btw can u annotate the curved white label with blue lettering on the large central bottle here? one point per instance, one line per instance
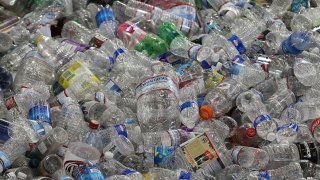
(156, 83)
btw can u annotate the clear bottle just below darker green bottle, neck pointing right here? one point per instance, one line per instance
(182, 47)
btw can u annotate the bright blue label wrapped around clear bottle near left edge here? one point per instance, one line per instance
(41, 113)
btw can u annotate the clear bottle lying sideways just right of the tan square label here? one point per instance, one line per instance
(248, 157)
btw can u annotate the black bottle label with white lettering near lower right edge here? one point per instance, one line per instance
(308, 151)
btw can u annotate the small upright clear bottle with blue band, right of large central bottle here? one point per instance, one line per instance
(189, 110)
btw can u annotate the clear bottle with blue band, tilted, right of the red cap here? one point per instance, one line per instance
(251, 102)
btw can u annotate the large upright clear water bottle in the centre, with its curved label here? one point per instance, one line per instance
(157, 103)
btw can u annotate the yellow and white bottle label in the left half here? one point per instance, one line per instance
(77, 69)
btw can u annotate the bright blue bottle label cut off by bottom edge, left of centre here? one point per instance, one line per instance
(87, 173)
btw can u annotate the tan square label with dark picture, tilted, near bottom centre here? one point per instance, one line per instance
(200, 151)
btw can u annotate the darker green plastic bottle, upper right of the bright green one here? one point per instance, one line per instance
(168, 31)
